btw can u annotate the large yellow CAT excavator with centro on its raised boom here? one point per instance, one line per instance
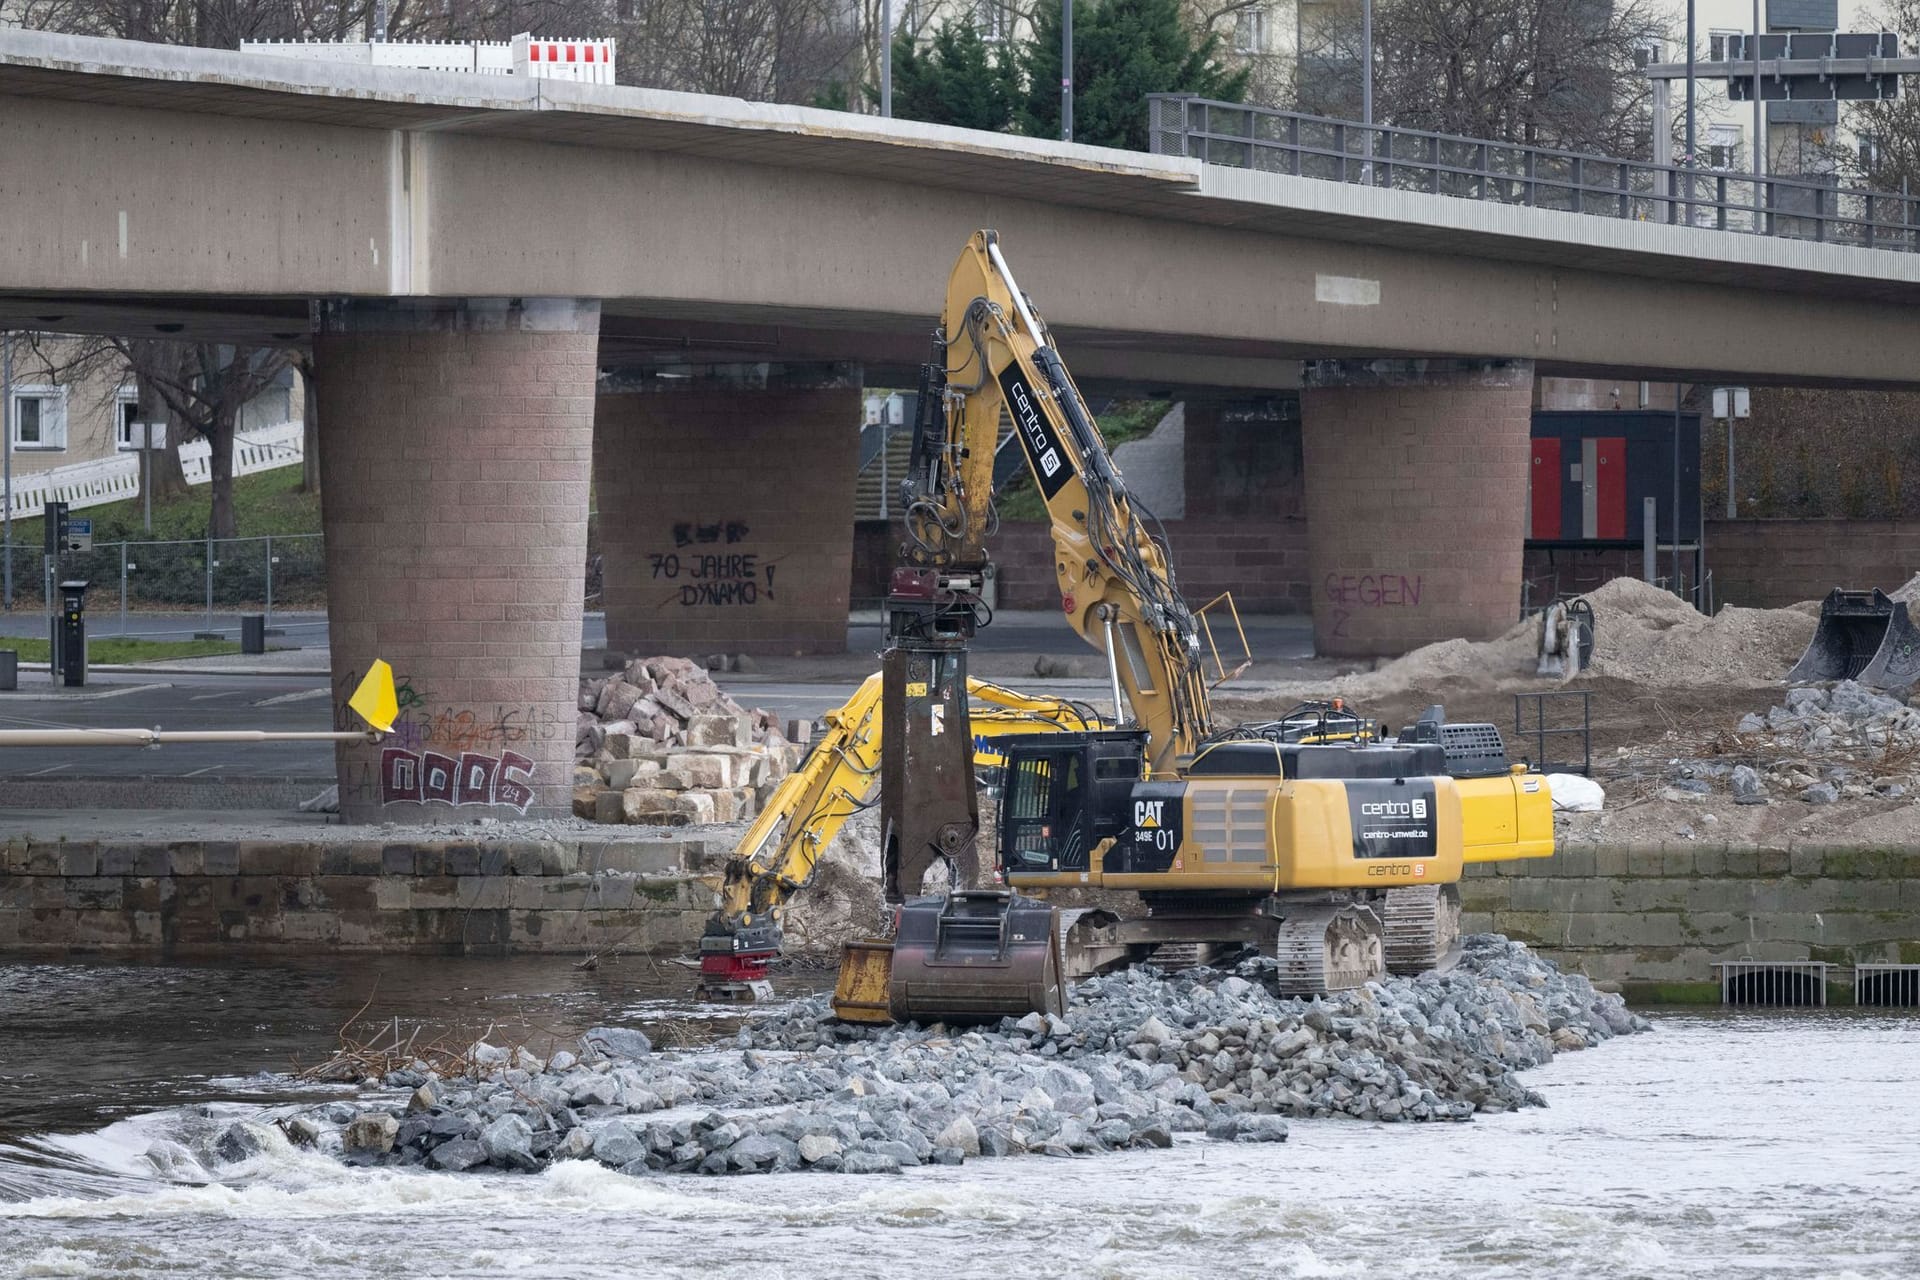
(1316, 840)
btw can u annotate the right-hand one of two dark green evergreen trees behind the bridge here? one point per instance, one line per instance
(1122, 53)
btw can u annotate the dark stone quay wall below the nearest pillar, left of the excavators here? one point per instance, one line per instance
(377, 895)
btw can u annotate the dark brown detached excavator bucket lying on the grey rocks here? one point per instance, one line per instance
(976, 957)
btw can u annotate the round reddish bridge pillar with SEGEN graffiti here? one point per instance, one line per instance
(1416, 500)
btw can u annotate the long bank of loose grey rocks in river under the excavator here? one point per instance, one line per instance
(1140, 1058)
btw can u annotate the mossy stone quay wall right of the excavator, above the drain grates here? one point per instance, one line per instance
(1664, 914)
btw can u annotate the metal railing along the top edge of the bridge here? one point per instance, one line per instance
(1410, 160)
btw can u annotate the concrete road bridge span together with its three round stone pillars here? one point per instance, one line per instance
(477, 266)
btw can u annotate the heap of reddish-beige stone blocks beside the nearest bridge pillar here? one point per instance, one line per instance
(660, 744)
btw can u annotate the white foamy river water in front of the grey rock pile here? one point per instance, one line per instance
(1717, 1147)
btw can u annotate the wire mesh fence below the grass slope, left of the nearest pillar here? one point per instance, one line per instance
(214, 577)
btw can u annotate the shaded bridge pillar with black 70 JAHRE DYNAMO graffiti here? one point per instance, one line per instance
(725, 500)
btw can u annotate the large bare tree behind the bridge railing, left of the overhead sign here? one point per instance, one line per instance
(1541, 72)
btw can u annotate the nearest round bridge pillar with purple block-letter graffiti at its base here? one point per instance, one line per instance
(456, 448)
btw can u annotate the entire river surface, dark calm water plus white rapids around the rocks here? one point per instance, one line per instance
(1777, 1147)
